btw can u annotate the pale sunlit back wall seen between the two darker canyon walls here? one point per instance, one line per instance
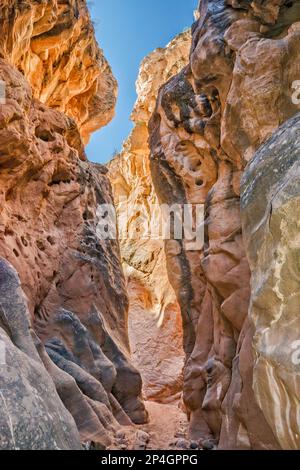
(155, 327)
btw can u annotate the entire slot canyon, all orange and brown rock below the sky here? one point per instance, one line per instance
(141, 342)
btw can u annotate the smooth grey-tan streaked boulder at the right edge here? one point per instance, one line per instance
(270, 213)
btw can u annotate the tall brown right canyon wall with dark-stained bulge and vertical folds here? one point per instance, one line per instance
(208, 122)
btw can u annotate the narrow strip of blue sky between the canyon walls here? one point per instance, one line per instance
(128, 30)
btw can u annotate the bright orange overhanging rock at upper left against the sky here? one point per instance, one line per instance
(53, 44)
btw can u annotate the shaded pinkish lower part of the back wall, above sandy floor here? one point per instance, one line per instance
(156, 344)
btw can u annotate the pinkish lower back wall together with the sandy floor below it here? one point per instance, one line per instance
(156, 345)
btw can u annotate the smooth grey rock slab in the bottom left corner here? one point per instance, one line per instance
(32, 415)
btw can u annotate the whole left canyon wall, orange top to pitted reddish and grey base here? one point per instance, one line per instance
(63, 313)
